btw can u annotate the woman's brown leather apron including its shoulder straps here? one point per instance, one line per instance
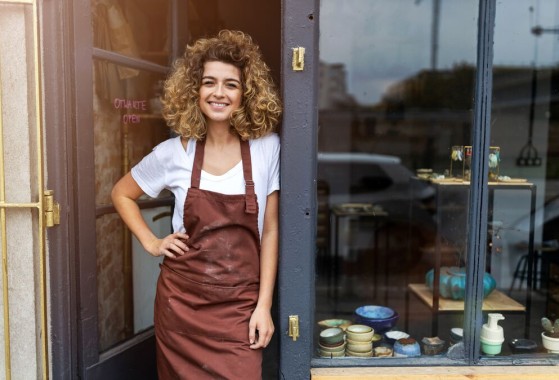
(206, 297)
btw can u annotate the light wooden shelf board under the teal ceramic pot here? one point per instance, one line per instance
(496, 301)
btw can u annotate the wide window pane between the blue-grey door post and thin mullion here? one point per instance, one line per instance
(395, 96)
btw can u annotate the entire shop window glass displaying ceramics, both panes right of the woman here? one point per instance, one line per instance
(396, 102)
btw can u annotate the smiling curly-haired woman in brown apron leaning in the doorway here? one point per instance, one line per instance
(214, 293)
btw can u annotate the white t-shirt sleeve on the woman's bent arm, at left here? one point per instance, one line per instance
(149, 173)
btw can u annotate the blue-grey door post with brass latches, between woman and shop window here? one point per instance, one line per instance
(298, 191)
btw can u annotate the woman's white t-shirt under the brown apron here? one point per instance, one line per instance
(169, 166)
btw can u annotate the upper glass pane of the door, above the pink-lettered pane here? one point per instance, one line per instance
(135, 28)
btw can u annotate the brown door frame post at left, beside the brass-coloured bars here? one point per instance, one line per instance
(58, 64)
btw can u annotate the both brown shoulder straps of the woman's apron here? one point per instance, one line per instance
(247, 172)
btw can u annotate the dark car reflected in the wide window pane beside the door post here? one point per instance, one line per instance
(381, 180)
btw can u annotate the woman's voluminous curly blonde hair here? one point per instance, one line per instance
(260, 108)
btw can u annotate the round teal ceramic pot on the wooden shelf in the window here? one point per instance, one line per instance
(452, 282)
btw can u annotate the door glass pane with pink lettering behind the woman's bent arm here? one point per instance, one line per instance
(127, 125)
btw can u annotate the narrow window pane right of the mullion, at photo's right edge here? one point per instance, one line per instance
(525, 127)
